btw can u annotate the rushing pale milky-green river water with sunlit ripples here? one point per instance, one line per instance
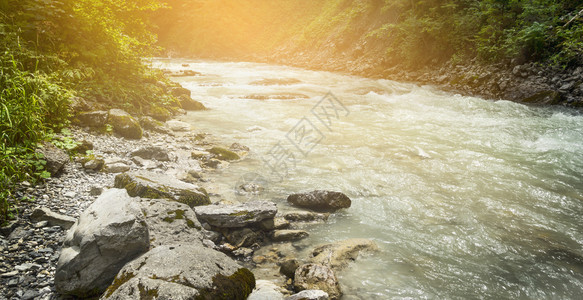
(466, 198)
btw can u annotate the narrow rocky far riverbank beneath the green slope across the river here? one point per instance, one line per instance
(528, 83)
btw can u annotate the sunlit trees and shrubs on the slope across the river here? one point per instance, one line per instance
(402, 33)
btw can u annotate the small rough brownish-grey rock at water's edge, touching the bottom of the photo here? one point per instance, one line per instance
(317, 277)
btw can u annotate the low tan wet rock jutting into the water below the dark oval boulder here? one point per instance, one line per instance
(337, 255)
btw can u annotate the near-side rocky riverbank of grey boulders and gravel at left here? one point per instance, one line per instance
(127, 214)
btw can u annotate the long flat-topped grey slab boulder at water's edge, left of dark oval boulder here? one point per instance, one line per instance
(233, 216)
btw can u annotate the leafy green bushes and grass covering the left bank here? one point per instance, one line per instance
(52, 51)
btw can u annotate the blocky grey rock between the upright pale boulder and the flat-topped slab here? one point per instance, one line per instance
(170, 222)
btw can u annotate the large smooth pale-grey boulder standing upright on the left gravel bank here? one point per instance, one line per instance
(110, 233)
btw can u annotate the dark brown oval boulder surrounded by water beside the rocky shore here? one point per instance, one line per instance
(320, 200)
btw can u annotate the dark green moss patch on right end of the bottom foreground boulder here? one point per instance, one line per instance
(237, 286)
